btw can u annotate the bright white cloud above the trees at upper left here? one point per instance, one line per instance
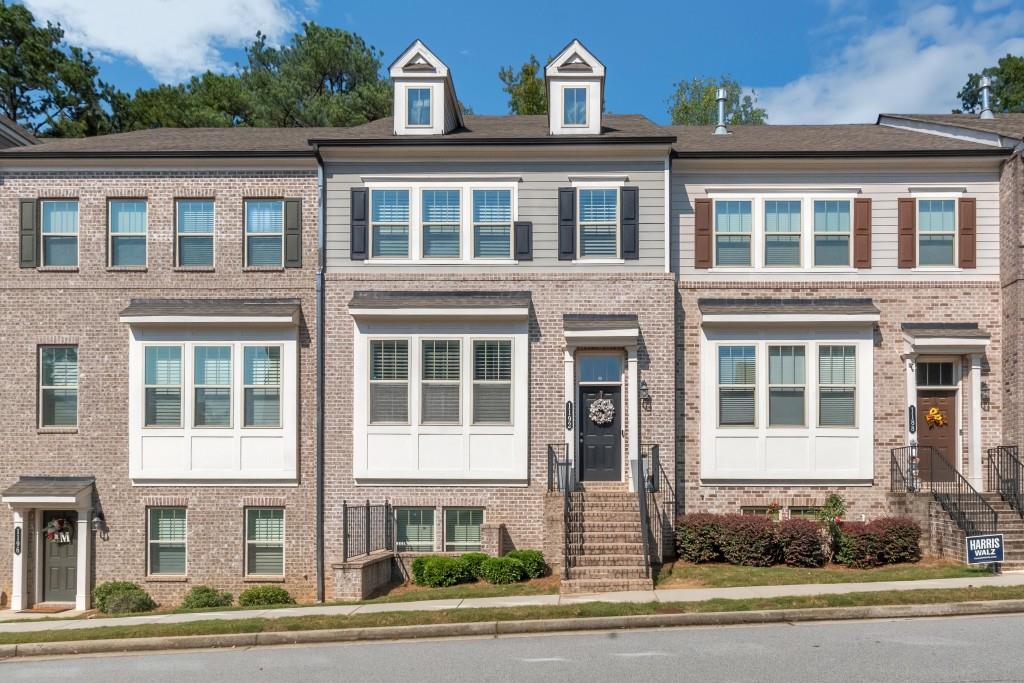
(173, 39)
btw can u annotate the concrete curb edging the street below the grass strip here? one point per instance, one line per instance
(496, 629)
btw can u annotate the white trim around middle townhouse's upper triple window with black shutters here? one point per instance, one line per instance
(466, 188)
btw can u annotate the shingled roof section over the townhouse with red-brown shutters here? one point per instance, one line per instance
(837, 141)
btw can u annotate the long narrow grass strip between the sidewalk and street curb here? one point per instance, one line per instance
(314, 623)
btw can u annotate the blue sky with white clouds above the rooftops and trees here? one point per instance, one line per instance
(809, 61)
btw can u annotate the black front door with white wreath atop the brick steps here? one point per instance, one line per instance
(601, 445)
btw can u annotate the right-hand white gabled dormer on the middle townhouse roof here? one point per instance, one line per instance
(576, 91)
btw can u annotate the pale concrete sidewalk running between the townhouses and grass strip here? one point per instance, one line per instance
(660, 595)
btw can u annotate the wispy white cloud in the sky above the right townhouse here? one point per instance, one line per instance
(917, 65)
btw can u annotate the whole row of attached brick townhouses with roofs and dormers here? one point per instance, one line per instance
(223, 341)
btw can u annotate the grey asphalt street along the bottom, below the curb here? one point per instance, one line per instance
(947, 650)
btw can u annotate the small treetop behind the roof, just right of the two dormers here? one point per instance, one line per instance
(695, 104)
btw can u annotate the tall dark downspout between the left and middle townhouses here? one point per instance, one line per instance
(321, 309)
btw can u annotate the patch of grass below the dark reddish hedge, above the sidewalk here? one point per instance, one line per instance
(685, 575)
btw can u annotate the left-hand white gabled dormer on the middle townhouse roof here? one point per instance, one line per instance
(424, 96)
